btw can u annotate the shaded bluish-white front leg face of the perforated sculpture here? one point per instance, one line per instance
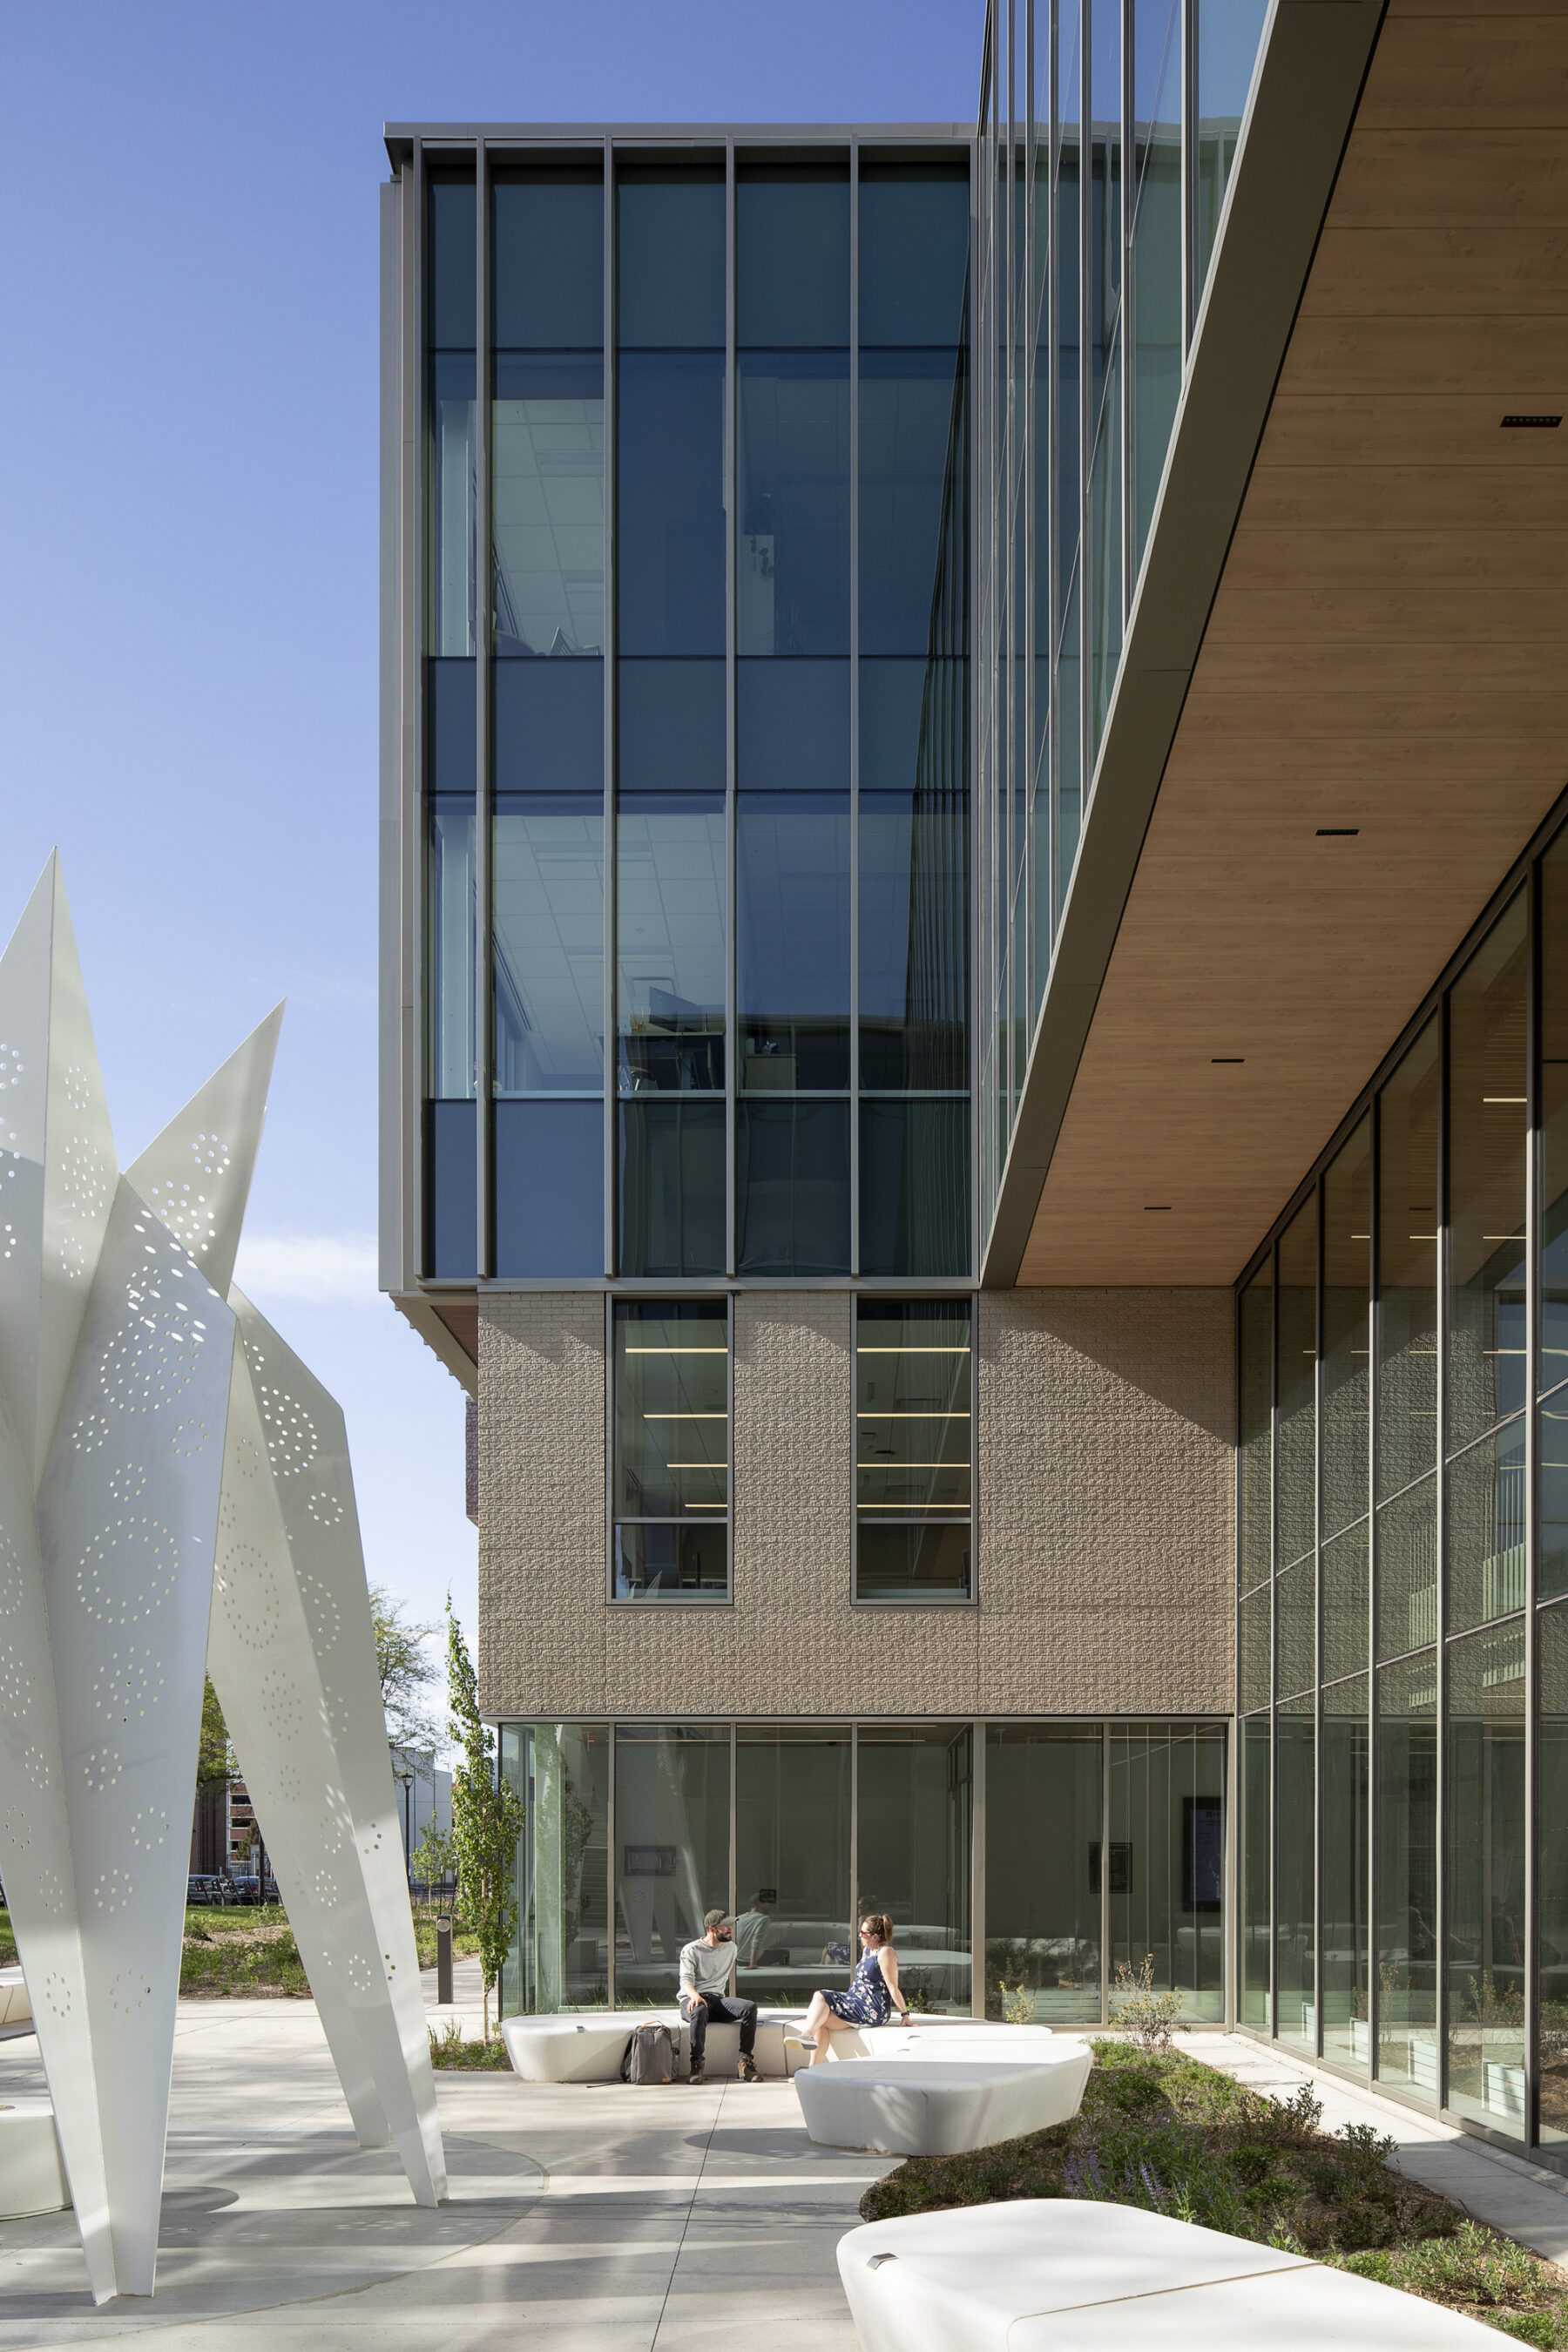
(128, 1518)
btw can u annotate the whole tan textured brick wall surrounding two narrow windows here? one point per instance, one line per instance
(1104, 1553)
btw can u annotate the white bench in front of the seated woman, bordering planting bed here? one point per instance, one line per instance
(939, 2106)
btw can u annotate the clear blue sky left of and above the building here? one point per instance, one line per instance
(189, 582)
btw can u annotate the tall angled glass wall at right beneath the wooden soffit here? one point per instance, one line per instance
(1402, 1563)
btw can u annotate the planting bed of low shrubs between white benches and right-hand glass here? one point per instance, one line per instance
(1177, 2137)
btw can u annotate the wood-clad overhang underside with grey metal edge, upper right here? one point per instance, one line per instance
(1341, 709)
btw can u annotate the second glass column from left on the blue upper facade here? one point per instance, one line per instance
(547, 683)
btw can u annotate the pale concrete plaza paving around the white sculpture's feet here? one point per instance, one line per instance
(601, 2219)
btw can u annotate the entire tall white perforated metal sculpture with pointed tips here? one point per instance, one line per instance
(152, 1431)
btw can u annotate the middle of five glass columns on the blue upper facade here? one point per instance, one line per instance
(671, 737)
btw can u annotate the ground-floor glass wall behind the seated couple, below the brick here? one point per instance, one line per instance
(1052, 1850)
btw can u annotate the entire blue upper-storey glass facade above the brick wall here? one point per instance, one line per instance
(697, 827)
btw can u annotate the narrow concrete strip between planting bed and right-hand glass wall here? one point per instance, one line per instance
(1503, 2191)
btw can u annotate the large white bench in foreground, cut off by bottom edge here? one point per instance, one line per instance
(1064, 2276)
